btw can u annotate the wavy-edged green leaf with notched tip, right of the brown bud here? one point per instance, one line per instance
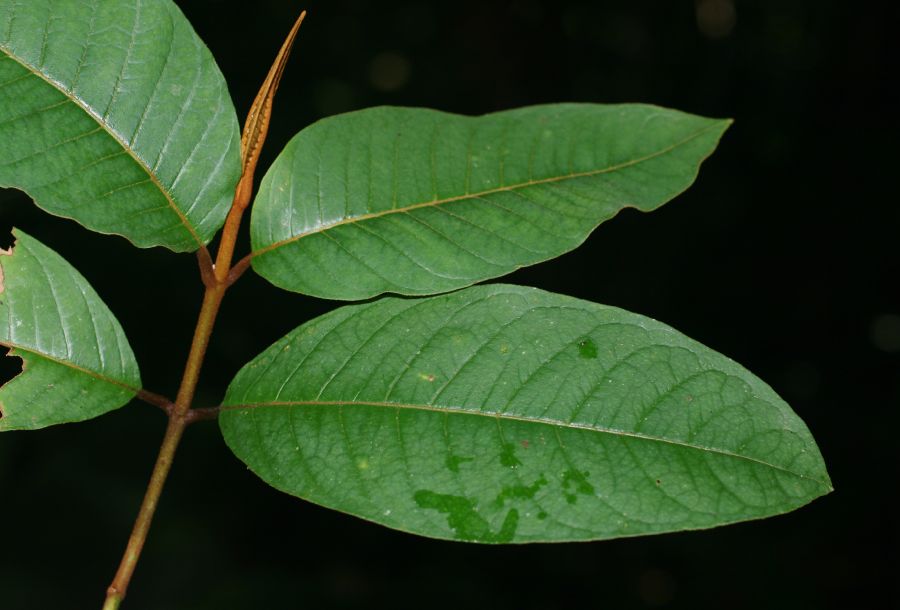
(416, 201)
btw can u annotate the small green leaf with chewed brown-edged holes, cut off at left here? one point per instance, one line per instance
(77, 363)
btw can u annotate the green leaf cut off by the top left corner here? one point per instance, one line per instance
(116, 115)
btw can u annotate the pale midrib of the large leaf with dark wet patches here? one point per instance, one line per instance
(555, 423)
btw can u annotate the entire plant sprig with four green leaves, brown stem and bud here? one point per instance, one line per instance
(491, 414)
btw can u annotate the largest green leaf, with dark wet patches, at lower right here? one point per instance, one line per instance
(508, 414)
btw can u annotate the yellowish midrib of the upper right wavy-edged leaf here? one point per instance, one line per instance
(484, 193)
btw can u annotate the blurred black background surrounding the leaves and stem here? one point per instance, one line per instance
(784, 255)
